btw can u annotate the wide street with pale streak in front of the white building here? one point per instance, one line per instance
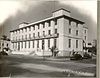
(33, 66)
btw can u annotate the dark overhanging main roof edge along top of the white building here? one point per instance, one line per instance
(50, 18)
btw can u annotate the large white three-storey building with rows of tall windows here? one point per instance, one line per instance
(61, 30)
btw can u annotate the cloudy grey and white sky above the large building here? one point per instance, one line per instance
(14, 12)
